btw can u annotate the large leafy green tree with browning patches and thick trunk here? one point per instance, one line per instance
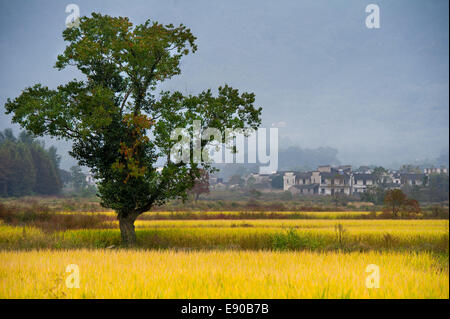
(119, 126)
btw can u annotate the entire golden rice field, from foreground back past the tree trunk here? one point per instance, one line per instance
(321, 256)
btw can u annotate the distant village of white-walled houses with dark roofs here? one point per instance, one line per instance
(330, 180)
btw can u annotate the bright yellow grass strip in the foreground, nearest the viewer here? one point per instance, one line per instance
(220, 274)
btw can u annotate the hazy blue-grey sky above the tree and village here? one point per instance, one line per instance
(377, 95)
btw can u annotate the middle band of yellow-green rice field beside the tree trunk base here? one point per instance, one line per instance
(357, 235)
